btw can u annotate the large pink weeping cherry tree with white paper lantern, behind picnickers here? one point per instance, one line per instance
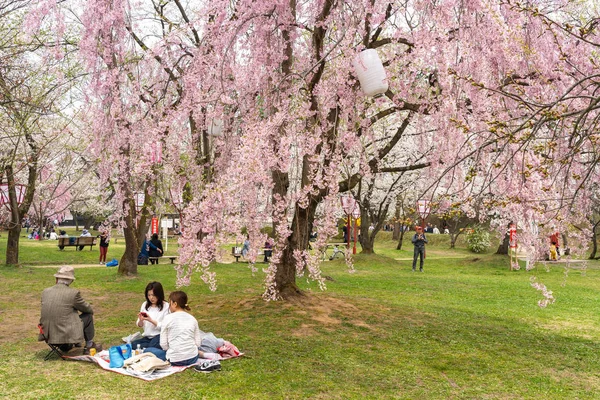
(279, 74)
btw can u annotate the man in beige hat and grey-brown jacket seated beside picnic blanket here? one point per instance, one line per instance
(60, 319)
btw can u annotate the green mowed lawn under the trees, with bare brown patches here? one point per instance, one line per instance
(466, 328)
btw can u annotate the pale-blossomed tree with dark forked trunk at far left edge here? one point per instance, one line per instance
(35, 76)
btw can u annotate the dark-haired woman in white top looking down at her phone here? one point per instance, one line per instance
(151, 316)
